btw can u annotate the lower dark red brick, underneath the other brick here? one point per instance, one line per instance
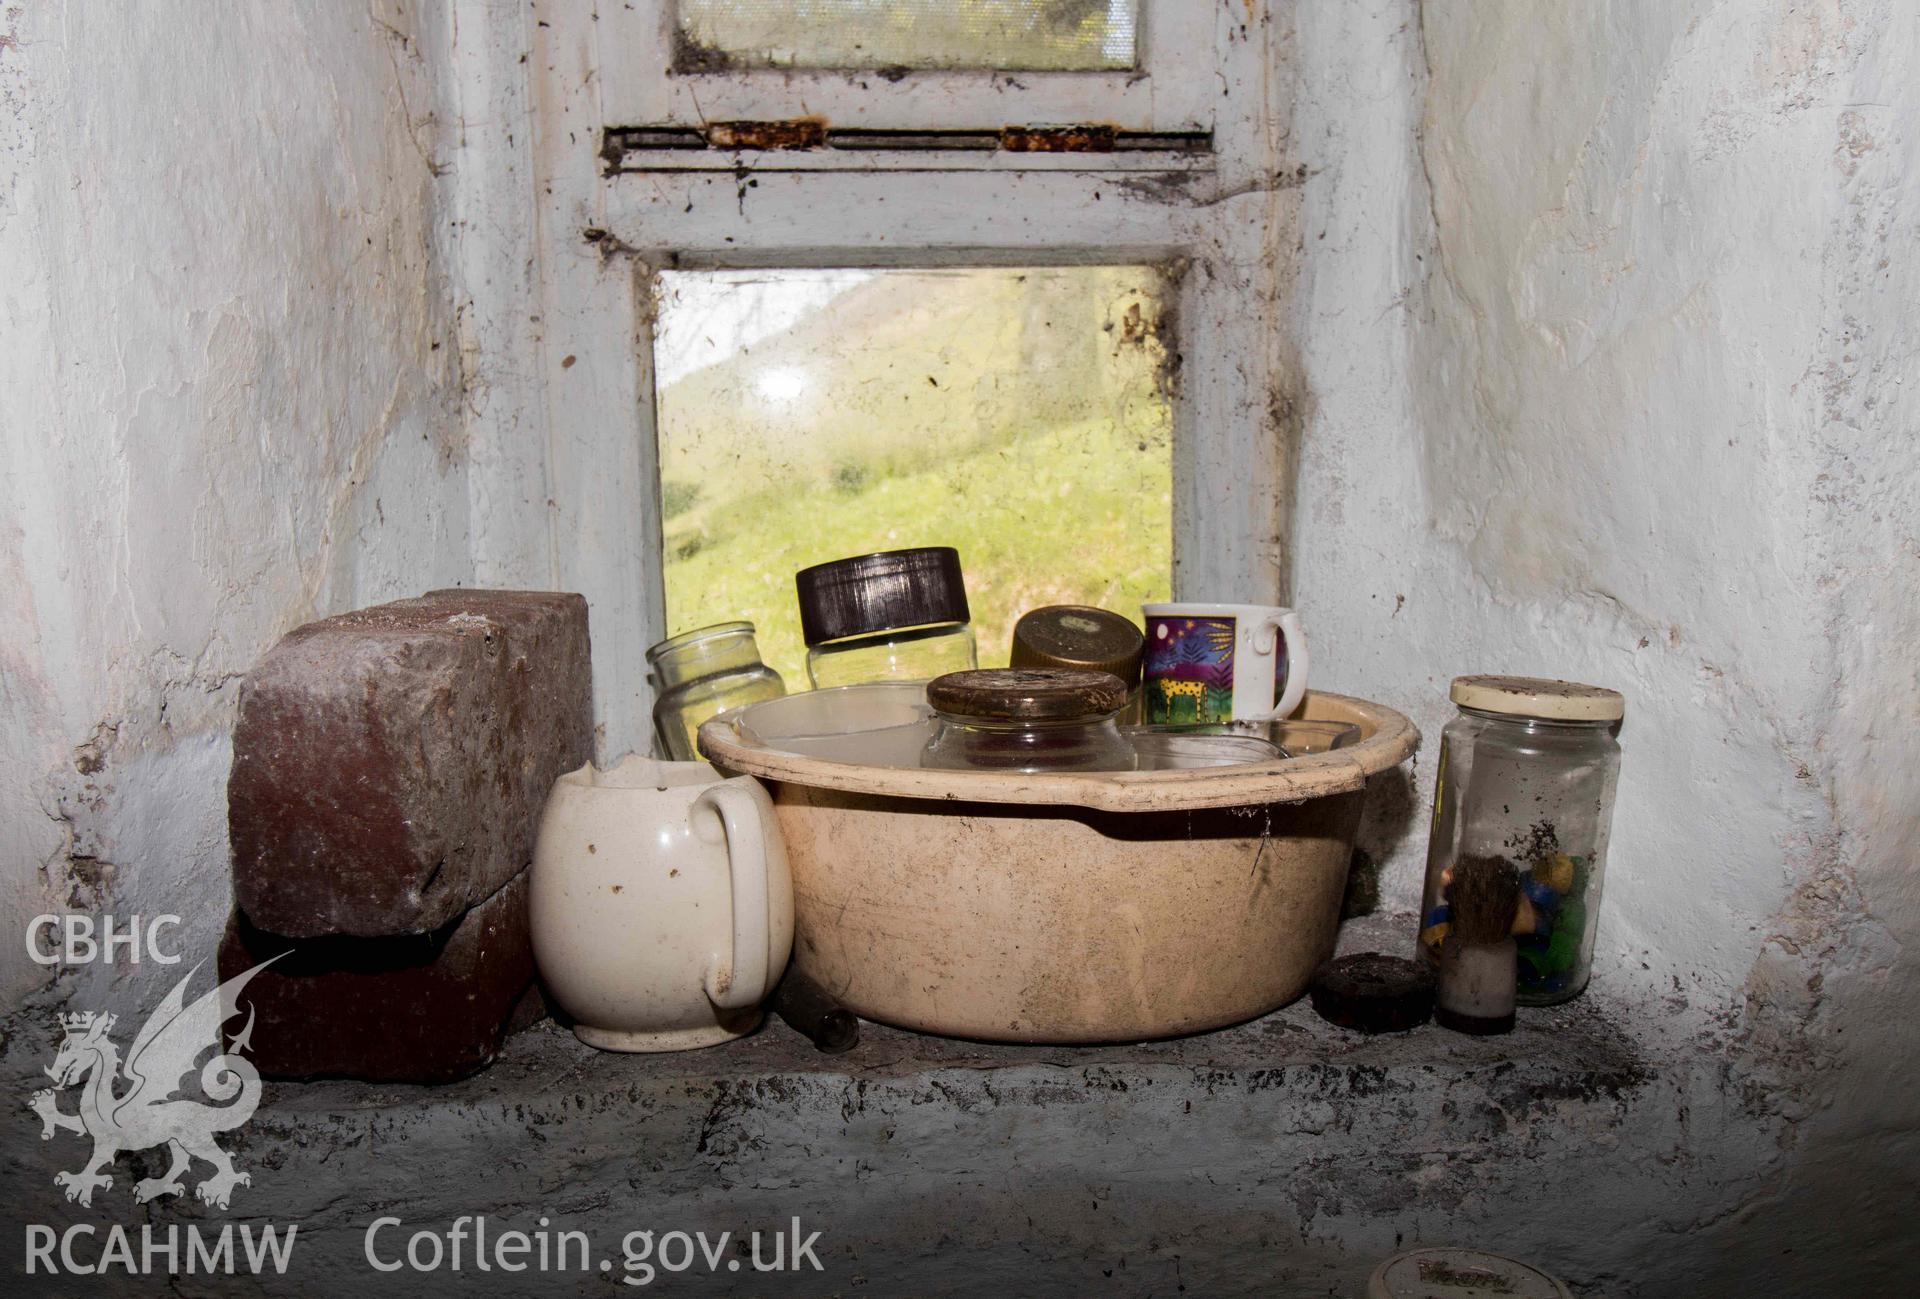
(414, 1008)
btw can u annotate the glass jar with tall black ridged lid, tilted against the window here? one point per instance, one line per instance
(888, 617)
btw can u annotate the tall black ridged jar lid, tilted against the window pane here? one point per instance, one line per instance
(880, 592)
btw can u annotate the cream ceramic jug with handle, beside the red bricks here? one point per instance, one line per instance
(661, 905)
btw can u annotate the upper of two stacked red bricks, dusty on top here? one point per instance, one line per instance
(391, 765)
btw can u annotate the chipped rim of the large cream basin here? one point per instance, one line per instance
(1387, 740)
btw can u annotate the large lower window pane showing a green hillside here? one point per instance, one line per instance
(1020, 415)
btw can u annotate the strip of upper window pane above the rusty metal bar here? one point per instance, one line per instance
(1067, 35)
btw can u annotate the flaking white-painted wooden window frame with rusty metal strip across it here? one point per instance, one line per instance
(602, 227)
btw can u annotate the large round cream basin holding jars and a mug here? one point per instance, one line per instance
(1053, 909)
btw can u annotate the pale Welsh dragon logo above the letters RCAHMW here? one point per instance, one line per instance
(153, 1110)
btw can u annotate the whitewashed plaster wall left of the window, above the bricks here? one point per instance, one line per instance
(229, 402)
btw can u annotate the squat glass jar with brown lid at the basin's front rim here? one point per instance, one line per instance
(1028, 720)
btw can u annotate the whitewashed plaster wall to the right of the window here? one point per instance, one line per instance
(1610, 356)
